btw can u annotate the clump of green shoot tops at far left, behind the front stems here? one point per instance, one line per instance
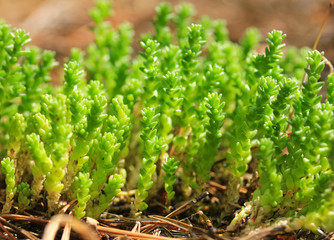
(23, 70)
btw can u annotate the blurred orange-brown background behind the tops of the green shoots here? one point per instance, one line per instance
(60, 25)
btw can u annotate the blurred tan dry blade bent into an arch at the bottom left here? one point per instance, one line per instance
(83, 229)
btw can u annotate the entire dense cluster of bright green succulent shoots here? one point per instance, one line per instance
(191, 101)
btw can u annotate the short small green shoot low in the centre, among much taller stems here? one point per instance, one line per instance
(170, 168)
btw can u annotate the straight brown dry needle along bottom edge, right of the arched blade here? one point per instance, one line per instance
(132, 235)
